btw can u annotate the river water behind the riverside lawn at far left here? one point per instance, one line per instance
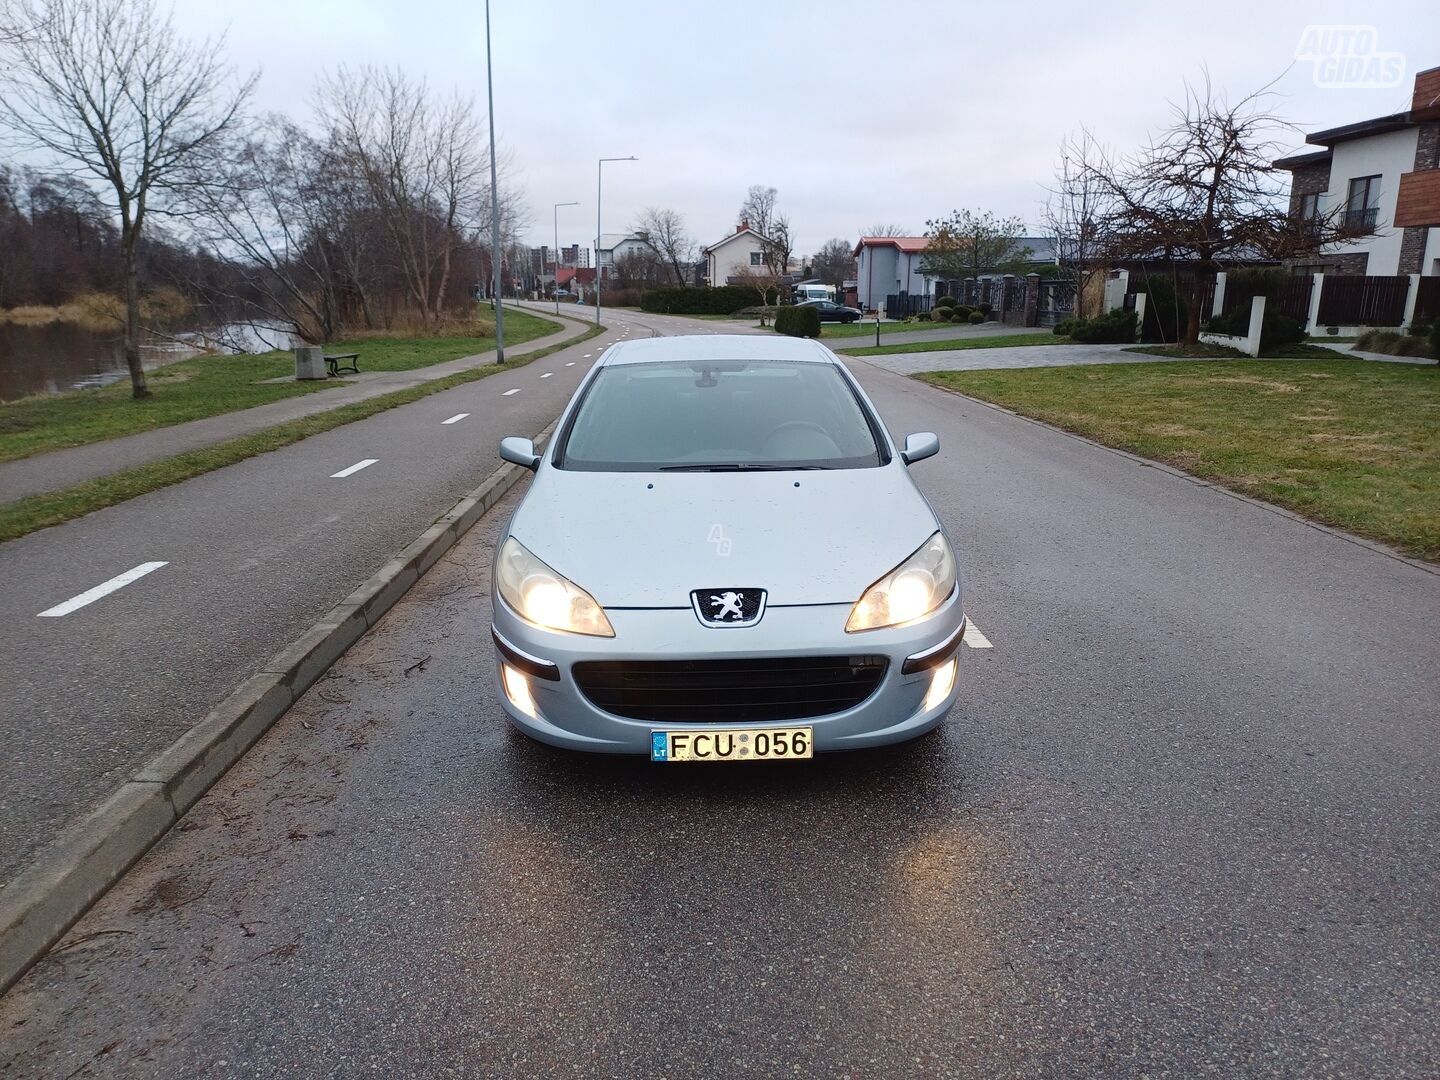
(63, 356)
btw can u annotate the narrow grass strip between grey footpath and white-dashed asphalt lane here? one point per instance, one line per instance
(55, 508)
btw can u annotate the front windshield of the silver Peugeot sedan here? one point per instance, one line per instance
(719, 417)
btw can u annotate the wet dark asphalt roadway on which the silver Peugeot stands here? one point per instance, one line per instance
(1182, 823)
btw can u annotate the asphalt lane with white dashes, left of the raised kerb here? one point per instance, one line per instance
(254, 555)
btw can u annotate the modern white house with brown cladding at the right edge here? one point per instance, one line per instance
(1382, 175)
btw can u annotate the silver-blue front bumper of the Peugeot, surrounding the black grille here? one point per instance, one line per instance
(564, 716)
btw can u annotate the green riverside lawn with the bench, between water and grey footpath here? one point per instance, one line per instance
(212, 385)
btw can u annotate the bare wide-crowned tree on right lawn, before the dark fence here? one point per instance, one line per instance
(1206, 191)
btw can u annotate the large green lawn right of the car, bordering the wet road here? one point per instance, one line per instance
(1350, 443)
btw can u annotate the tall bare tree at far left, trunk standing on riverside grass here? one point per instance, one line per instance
(109, 89)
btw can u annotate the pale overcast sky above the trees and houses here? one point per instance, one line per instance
(856, 113)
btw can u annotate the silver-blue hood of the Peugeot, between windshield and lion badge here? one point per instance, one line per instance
(649, 539)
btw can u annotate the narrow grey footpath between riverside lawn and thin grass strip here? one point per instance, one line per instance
(63, 469)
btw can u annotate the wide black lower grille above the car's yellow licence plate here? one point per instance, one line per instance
(715, 692)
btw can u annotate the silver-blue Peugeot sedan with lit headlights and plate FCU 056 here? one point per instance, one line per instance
(722, 558)
